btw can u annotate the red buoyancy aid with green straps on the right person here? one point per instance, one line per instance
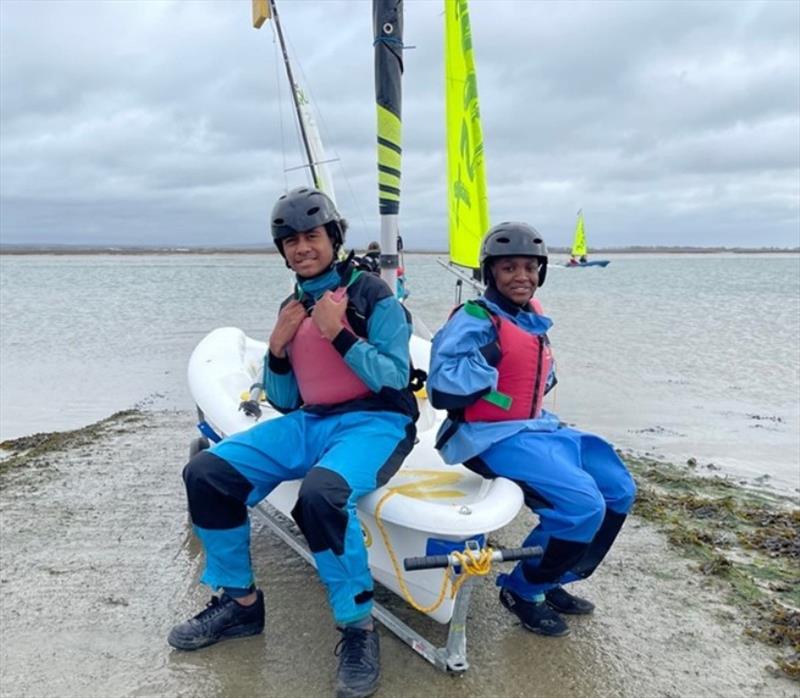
(524, 366)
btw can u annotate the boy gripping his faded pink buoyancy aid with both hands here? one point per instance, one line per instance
(338, 367)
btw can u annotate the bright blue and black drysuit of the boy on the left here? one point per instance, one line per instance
(341, 452)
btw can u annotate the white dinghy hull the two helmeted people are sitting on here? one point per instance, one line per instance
(430, 502)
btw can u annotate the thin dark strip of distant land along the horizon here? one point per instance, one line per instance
(258, 249)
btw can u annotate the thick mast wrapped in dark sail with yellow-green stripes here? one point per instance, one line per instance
(387, 24)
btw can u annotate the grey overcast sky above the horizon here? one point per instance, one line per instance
(161, 122)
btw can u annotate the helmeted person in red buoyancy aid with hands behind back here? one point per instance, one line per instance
(491, 365)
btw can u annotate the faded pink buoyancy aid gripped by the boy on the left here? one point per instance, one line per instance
(323, 376)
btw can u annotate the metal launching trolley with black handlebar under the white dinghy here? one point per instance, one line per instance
(450, 658)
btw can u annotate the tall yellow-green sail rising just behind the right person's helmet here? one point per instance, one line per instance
(467, 200)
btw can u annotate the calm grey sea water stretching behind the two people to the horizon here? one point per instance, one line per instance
(677, 355)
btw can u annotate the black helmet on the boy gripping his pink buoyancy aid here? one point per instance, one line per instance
(303, 209)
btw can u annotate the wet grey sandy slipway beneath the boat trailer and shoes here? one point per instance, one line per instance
(98, 563)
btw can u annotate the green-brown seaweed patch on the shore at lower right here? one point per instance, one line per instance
(746, 540)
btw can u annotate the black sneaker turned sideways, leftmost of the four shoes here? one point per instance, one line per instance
(222, 619)
